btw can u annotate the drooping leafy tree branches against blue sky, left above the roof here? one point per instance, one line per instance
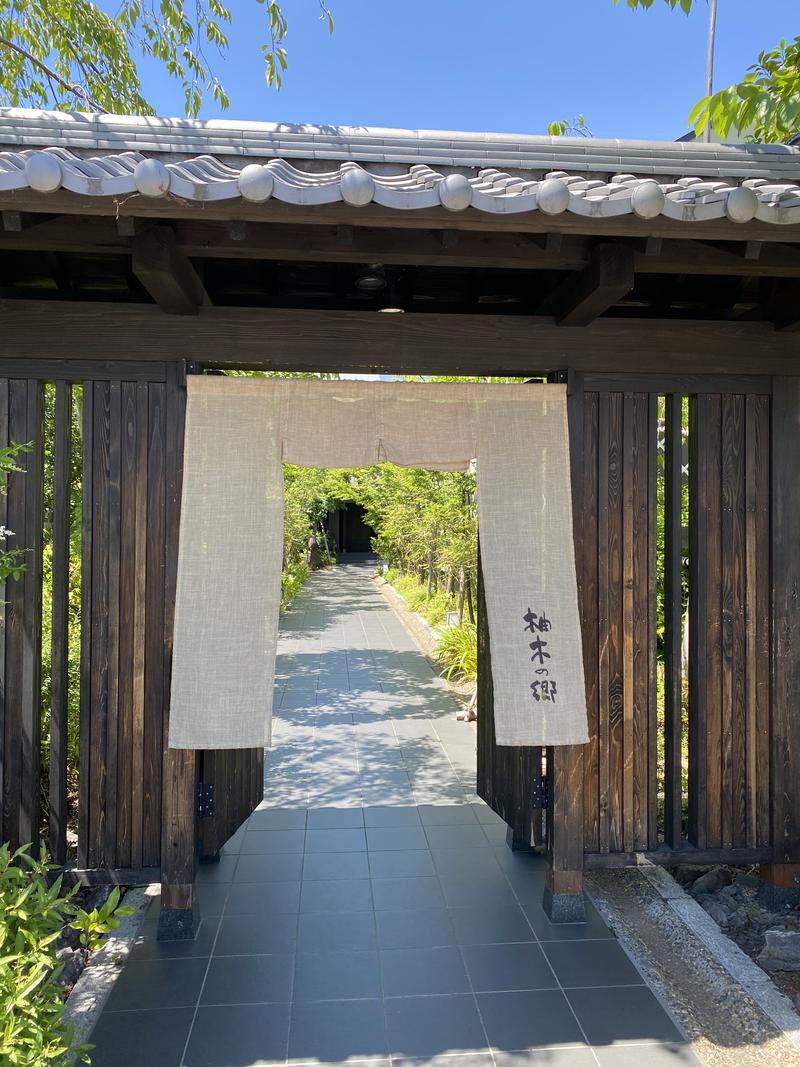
(68, 54)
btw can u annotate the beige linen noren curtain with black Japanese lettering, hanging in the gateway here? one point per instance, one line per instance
(238, 435)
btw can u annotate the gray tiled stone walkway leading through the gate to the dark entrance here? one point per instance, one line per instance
(370, 912)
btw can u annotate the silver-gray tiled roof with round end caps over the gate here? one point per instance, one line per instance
(108, 156)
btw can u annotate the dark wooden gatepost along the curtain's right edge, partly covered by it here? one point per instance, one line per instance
(564, 895)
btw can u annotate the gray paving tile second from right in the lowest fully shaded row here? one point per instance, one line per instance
(529, 1021)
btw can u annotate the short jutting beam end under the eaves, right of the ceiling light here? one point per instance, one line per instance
(581, 299)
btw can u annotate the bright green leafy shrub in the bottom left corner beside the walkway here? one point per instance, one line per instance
(33, 1028)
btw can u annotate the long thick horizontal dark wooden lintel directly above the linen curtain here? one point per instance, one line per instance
(299, 340)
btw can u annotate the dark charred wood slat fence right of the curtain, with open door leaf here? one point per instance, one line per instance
(695, 765)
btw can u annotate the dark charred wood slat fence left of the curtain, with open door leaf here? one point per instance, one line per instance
(124, 495)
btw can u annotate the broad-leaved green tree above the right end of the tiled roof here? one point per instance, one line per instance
(764, 106)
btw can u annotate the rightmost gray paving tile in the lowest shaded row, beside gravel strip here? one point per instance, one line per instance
(629, 1014)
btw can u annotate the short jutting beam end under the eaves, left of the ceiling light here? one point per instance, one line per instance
(167, 274)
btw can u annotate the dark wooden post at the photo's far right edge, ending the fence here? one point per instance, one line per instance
(781, 880)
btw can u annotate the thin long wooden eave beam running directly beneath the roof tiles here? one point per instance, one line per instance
(374, 215)
